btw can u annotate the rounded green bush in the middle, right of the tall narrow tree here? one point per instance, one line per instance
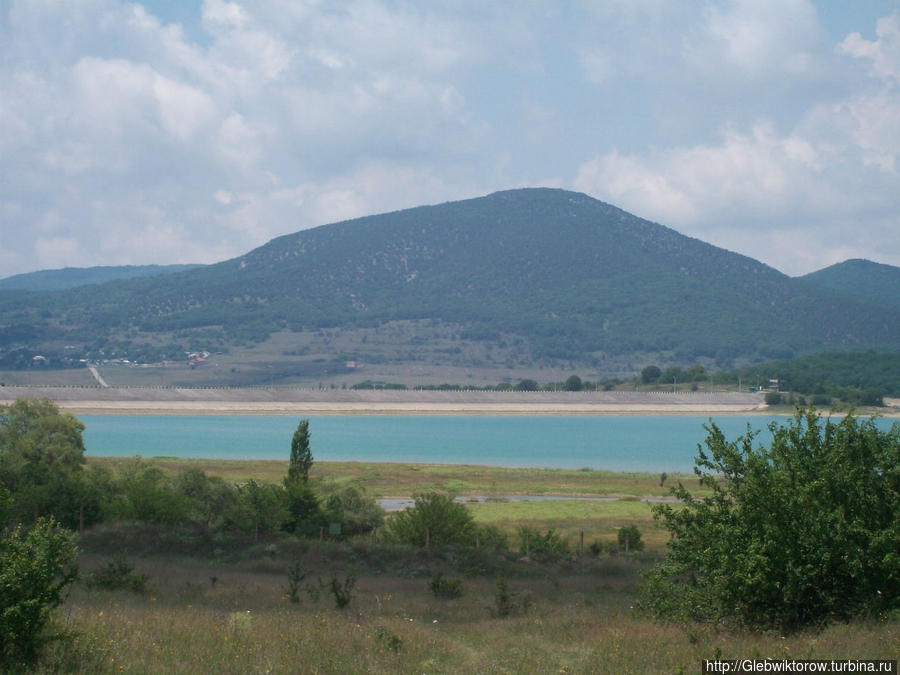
(434, 518)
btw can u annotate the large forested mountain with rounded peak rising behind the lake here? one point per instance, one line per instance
(544, 274)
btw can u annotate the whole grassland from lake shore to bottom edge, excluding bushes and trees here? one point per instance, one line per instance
(222, 605)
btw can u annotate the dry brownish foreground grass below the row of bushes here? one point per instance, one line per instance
(566, 617)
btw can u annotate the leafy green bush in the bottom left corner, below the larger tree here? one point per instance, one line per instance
(35, 568)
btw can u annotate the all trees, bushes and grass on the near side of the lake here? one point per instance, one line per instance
(183, 571)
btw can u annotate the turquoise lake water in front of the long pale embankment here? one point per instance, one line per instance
(628, 443)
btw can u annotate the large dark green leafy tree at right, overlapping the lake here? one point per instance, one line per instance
(796, 534)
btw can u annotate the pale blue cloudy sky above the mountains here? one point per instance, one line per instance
(179, 131)
